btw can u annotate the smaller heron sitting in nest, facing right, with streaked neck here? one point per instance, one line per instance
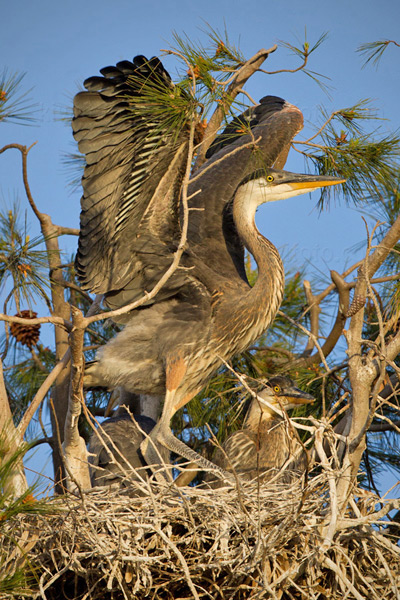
(266, 442)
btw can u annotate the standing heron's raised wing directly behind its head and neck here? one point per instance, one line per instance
(257, 139)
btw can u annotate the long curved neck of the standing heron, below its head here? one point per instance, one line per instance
(270, 282)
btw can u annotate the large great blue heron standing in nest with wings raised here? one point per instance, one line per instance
(136, 156)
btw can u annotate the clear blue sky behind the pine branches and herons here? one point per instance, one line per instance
(59, 44)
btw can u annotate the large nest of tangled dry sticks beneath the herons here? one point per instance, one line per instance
(271, 541)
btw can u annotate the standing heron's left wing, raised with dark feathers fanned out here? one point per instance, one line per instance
(132, 126)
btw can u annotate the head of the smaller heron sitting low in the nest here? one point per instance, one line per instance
(281, 391)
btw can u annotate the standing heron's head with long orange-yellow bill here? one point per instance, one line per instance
(269, 185)
